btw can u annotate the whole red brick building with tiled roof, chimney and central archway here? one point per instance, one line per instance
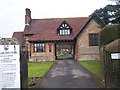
(51, 39)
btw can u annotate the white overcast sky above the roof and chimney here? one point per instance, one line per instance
(12, 12)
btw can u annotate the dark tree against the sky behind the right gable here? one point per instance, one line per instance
(110, 13)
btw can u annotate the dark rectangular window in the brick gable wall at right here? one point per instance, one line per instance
(93, 39)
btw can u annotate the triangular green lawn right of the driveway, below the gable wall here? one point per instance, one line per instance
(94, 66)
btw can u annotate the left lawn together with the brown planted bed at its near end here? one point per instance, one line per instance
(37, 71)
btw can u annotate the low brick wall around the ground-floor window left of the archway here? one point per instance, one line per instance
(47, 55)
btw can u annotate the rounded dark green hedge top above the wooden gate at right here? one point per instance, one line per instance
(109, 34)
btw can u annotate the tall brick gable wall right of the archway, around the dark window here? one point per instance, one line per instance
(83, 50)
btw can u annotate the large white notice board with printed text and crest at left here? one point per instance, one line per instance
(9, 66)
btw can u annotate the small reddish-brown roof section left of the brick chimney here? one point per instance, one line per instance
(20, 37)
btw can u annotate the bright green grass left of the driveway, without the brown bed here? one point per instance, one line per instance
(38, 69)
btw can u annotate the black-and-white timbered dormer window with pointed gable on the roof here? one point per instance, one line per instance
(64, 29)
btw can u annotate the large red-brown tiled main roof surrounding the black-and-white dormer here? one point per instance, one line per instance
(46, 29)
